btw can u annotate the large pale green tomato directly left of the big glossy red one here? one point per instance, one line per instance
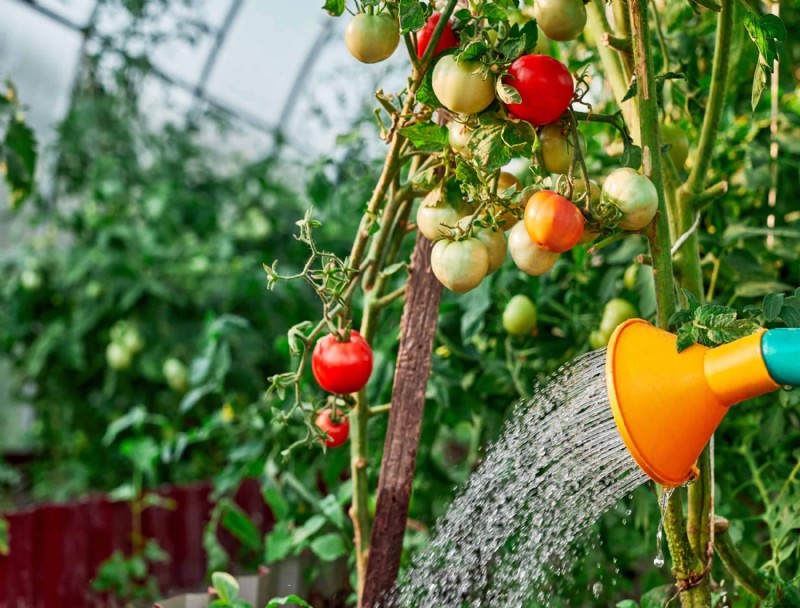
(461, 87)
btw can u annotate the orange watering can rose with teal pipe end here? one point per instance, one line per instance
(667, 405)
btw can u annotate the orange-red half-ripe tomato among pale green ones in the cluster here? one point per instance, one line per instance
(553, 222)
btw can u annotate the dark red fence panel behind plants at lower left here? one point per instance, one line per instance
(55, 550)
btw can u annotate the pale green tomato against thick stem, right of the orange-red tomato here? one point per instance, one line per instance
(634, 195)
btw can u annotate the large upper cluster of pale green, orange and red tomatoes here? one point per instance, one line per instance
(471, 242)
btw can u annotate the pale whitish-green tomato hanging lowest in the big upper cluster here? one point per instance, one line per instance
(460, 265)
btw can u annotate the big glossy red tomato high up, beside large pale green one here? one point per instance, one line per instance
(545, 86)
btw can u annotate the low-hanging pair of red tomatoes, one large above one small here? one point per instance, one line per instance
(341, 364)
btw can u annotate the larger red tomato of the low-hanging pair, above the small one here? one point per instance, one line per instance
(342, 367)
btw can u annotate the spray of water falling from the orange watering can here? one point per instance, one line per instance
(558, 466)
